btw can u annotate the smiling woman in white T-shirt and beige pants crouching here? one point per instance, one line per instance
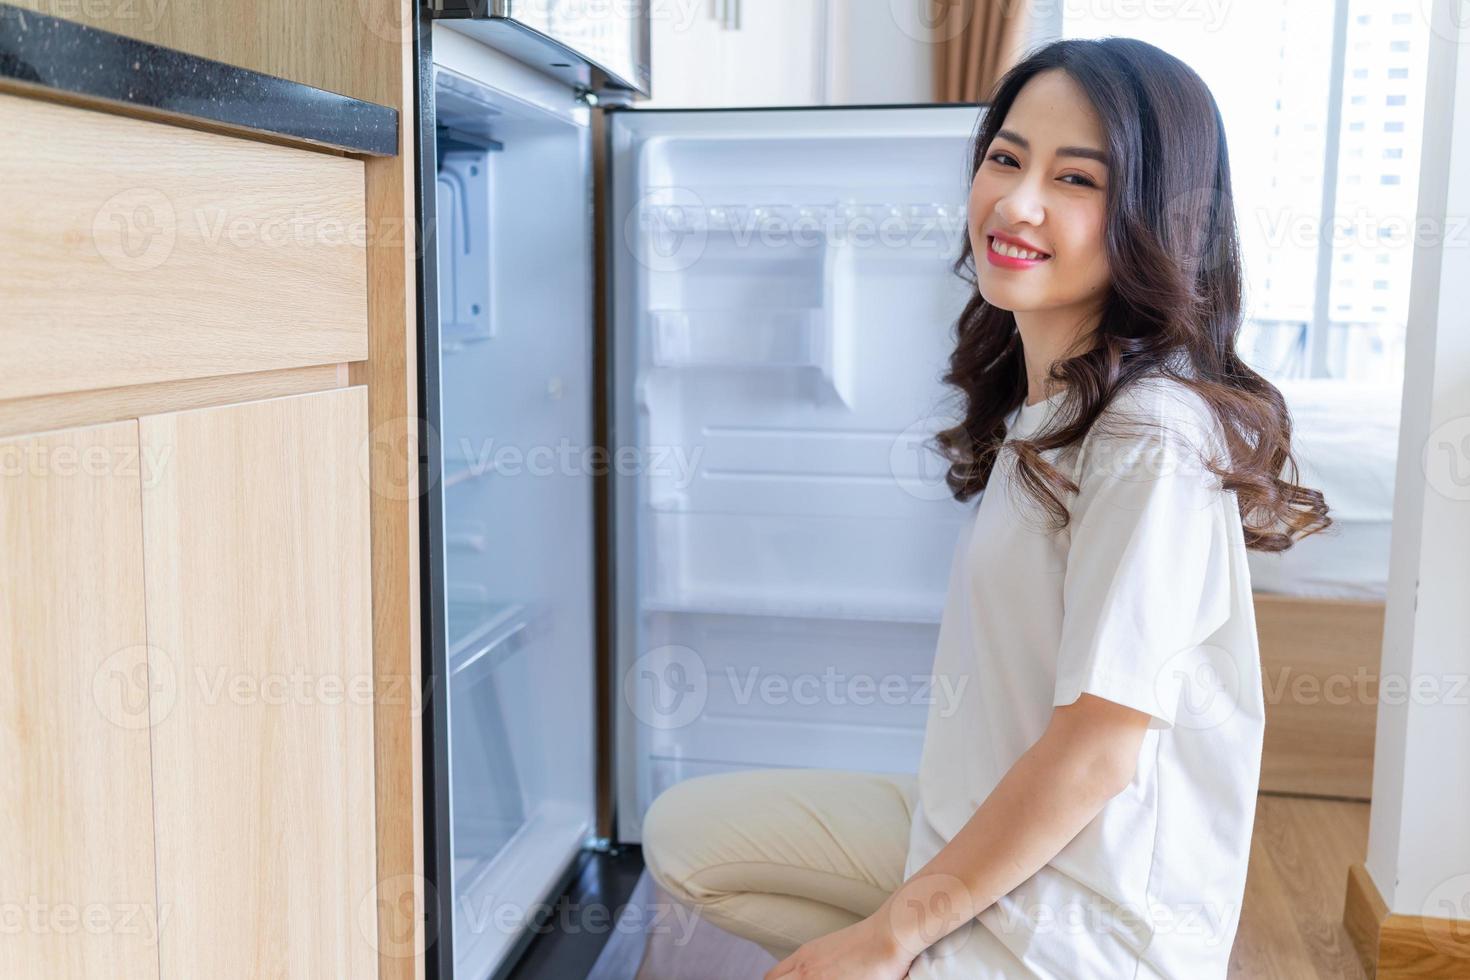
(1086, 809)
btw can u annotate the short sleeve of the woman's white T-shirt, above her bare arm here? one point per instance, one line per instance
(1149, 571)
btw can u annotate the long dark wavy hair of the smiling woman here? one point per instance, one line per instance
(1174, 308)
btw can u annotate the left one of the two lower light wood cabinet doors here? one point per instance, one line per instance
(76, 812)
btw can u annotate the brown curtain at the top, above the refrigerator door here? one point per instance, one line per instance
(977, 43)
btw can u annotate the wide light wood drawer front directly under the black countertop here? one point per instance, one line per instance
(171, 255)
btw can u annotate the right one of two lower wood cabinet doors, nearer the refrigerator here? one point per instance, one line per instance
(257, 541)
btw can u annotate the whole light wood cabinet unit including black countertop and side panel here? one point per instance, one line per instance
(209, 763)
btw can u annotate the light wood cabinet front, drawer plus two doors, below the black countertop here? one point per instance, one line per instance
(187, 719)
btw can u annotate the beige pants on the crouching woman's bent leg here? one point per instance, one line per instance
(781, 856)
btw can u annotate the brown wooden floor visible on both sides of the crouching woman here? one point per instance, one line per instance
(1291, 923)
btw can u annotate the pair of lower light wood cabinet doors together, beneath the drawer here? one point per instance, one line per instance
(189, 713)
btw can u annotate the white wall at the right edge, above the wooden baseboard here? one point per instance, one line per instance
(1419, 837)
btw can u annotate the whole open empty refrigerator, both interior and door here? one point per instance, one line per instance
(678, 375)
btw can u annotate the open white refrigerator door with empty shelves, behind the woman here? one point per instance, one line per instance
(783, 311)
